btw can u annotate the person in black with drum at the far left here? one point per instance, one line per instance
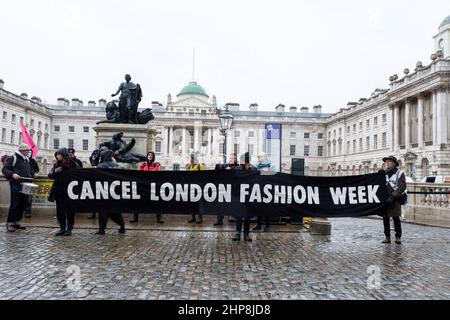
(18, 171)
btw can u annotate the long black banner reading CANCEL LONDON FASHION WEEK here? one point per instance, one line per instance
(232, 193)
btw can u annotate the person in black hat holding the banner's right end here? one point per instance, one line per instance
(396, 188)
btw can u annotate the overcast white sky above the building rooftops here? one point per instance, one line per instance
(299, 53)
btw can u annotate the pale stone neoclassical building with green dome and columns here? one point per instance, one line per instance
(409, 119)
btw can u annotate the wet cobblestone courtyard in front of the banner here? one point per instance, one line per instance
(203, 263)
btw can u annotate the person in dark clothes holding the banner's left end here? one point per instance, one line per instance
(64, 214)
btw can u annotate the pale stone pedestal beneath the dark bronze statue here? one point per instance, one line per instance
(143, 135)
